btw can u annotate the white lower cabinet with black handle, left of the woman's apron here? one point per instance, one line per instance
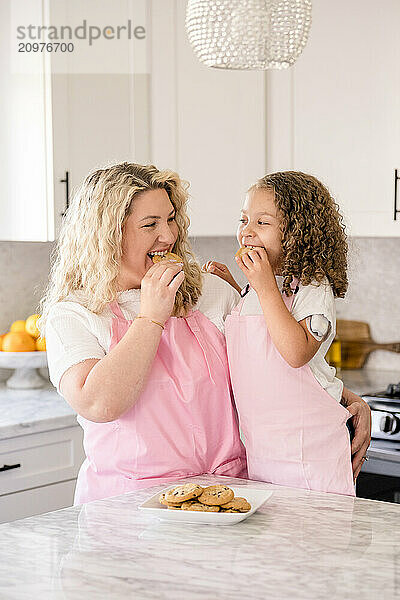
(45, 478)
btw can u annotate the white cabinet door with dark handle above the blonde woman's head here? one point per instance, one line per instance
(91, 125)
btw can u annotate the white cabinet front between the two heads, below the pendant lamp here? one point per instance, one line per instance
(207, 124)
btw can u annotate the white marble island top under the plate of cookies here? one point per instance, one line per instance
(300, 544)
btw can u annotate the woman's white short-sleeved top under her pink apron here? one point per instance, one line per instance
(74, 333)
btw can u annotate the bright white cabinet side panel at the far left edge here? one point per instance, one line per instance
(23, 135)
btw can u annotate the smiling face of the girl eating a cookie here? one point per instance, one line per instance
(259, 225)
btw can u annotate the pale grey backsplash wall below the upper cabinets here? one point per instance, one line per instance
(373, 294)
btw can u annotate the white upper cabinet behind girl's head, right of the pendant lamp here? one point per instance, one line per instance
(336, 113)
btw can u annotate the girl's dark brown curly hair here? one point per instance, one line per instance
(314, 242)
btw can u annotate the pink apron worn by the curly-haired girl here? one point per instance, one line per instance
(295, 432)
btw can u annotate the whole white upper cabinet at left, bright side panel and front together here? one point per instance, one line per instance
(59, 120)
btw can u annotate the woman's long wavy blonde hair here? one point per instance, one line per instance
(87, 257)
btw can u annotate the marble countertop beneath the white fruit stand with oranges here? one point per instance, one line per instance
(32, 411)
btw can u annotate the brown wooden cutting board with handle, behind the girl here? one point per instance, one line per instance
(357, 343)
